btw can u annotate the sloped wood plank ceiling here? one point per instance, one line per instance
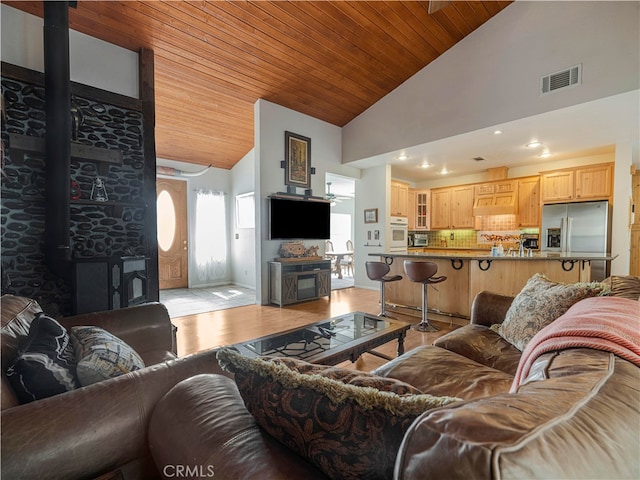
(213, 59)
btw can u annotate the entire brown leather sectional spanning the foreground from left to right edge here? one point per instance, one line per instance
(574, 415)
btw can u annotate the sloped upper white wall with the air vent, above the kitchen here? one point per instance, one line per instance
(492, 76)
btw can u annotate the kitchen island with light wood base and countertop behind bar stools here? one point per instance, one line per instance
(469, 273)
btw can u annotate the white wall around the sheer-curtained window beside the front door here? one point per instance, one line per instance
(214, 179)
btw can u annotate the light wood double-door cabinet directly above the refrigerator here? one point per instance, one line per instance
(593, 182)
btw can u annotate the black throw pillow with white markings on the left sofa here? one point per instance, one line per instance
(45, 365)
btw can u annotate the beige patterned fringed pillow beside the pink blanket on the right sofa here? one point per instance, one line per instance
(538, 304)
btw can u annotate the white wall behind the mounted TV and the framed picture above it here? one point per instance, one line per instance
(271, 121)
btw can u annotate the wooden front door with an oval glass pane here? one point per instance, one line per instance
(173, 251)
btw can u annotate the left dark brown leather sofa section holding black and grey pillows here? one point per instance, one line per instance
(100, 428)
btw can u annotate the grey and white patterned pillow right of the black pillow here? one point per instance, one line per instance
(101, 355)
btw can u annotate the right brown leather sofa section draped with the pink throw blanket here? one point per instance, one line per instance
(576, 415)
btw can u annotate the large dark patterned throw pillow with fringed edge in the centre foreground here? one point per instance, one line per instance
(349, 424)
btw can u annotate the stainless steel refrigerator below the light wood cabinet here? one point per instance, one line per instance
(578, 227)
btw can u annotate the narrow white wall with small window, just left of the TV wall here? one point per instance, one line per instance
(243, 241)
